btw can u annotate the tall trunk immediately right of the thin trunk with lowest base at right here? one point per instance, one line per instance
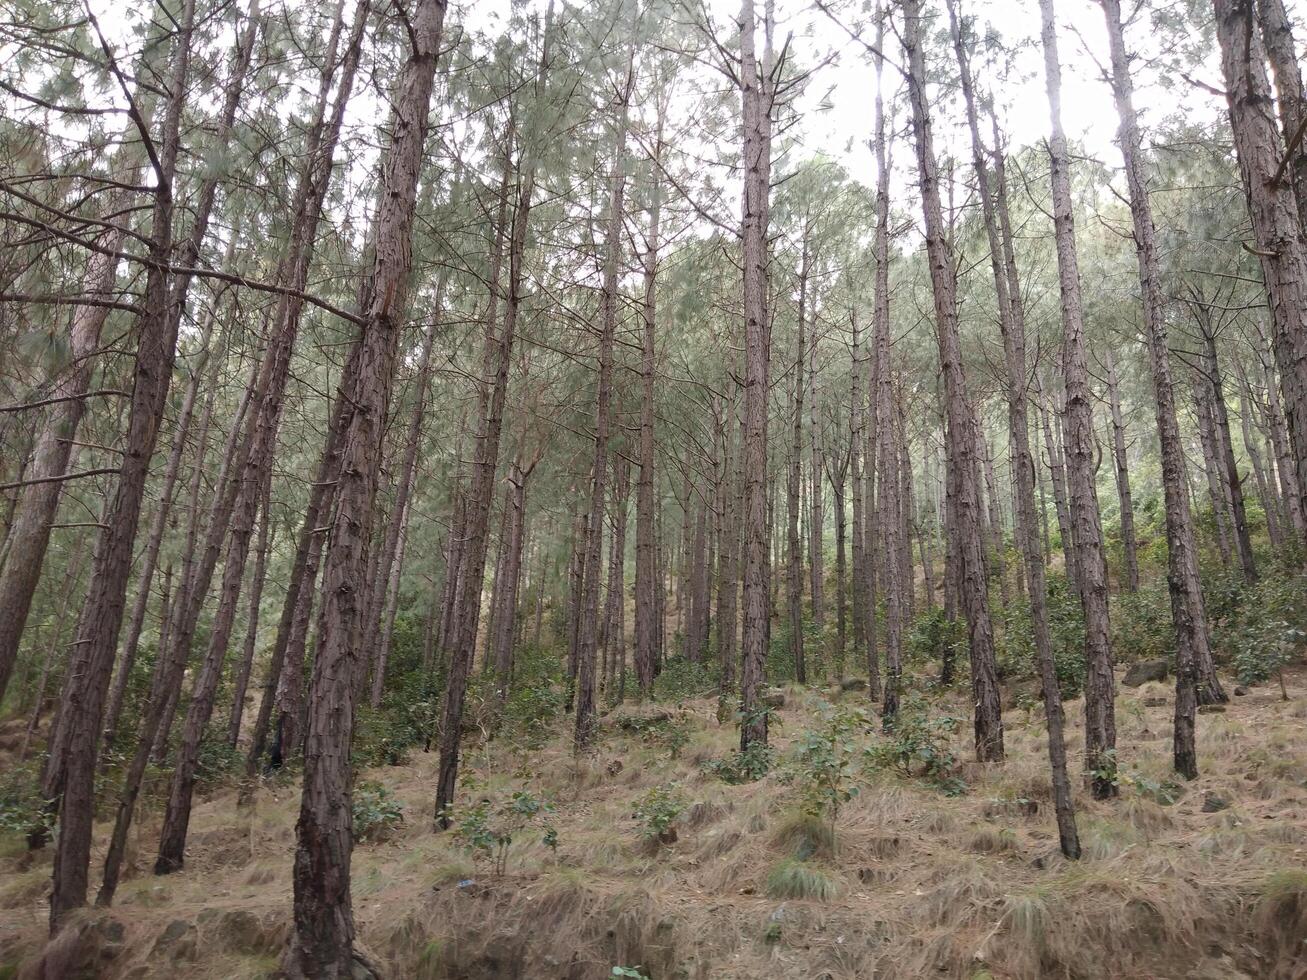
(1087, 523)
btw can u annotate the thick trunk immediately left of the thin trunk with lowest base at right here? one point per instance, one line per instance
(961, 432)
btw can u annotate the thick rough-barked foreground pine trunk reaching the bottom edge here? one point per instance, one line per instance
(323, 932)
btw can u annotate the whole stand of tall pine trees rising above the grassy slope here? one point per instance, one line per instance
(337, 342)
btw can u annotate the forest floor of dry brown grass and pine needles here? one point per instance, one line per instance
(914, 884)
